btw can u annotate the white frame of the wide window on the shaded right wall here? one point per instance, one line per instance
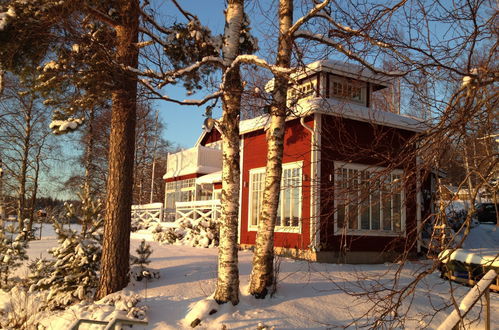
(369, 232)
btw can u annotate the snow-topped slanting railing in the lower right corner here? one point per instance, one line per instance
(480, 289)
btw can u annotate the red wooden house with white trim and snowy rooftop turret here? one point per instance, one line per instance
(347, 193)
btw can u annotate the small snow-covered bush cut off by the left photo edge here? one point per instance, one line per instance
(12, 253)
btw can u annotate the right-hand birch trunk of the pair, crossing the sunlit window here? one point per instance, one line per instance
(263, 258)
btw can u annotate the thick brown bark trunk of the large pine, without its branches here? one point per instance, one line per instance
(116, 244)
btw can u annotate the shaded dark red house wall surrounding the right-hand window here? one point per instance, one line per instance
(364, 143)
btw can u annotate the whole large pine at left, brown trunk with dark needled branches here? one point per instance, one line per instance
(94, 50)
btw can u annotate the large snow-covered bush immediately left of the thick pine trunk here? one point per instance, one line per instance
(72, 275)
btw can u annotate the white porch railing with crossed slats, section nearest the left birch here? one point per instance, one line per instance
(198, 210)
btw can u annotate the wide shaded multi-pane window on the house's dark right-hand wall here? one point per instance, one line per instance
(368, 200)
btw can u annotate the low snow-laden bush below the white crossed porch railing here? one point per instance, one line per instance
(197, 233)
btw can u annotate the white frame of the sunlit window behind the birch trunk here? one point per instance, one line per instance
(280, 229)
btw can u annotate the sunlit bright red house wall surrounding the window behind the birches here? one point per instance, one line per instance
(297, 141)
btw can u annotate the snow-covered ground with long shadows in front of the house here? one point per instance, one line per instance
(309, 295)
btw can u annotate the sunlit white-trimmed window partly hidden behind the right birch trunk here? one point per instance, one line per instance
(290, 201)
